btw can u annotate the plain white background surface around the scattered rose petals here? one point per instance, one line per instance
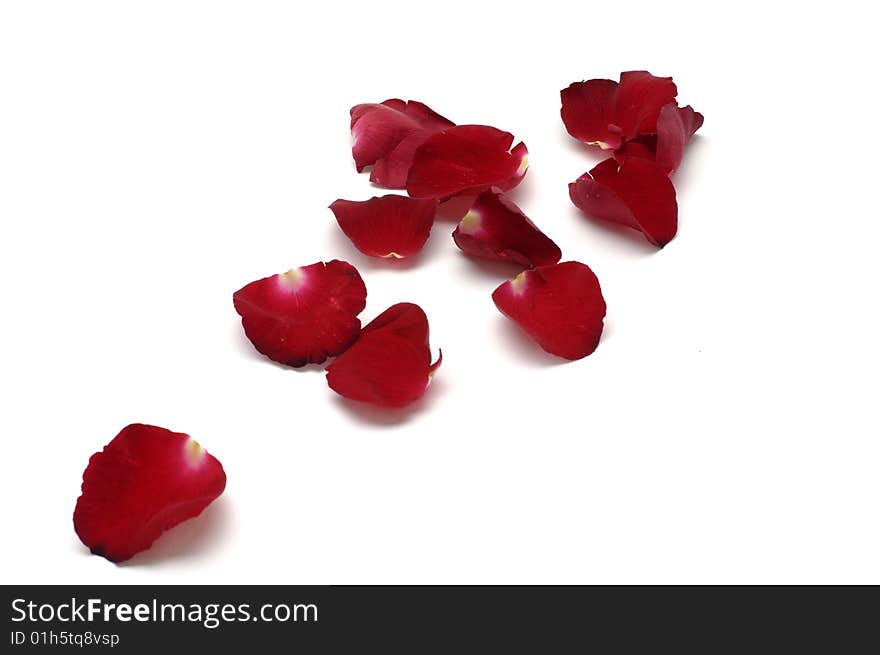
(155, 157)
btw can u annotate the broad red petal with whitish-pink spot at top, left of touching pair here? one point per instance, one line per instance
(305, 315)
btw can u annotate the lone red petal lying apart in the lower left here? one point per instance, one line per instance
(144, 482)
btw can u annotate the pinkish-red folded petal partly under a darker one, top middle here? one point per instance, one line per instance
(379, 128)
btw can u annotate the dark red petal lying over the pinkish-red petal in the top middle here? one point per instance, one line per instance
(466, 159)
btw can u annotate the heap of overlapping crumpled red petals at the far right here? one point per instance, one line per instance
(640, 120)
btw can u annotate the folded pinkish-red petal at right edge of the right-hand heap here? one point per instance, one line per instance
(675, 128)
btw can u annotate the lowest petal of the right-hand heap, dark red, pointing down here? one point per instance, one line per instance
(635, 192)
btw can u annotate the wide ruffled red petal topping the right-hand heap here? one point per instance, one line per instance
(607, 113)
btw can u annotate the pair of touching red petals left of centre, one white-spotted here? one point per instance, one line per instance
(309, 314)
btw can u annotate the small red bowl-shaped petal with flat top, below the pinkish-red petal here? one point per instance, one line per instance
(390, 226)
